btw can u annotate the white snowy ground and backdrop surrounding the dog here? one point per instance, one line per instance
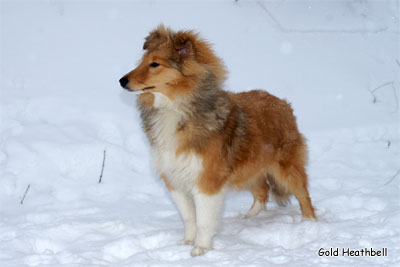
(337, 62)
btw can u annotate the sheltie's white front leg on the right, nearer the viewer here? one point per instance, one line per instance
(208, 210)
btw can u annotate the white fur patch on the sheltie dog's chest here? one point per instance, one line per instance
(181, 171)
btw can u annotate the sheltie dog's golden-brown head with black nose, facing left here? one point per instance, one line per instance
(173, 64)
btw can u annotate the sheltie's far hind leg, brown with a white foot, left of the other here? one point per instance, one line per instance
(260, 193)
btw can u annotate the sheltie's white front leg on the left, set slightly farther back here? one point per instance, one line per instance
(186, 207)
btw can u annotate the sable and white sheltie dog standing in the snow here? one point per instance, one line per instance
(205, 140)
